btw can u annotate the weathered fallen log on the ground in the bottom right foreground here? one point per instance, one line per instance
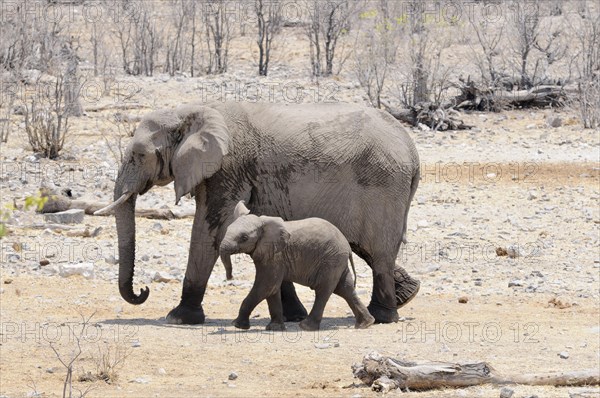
(384, 374)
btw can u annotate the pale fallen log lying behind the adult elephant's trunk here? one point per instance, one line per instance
(61, 202)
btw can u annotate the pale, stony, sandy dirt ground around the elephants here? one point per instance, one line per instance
(533, 188)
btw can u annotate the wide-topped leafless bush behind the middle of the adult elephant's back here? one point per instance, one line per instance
(328, 22)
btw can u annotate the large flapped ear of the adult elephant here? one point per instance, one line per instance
(203, 141)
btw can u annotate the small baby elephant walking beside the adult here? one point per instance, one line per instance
(311, 252)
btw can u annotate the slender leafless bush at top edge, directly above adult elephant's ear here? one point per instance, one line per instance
(219, 32)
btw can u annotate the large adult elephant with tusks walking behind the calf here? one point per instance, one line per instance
(353, 166)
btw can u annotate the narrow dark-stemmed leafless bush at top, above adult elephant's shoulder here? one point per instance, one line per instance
(269, 21)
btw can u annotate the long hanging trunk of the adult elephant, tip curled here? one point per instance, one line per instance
(125, 219)
